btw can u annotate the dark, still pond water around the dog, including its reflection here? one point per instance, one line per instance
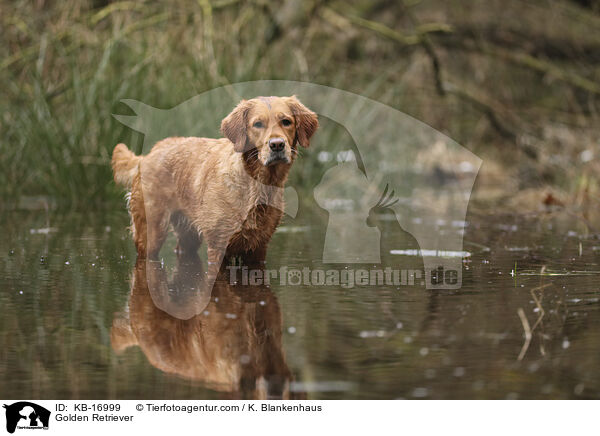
(80, 319)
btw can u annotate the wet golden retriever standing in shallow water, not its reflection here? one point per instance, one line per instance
(225, 191)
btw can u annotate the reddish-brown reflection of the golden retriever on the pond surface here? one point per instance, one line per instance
(233, 345)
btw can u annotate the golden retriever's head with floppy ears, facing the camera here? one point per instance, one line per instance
(270, 128)
